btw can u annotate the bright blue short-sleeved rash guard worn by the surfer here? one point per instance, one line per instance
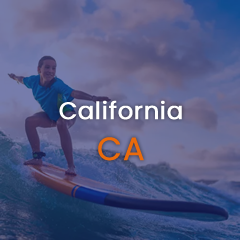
(50, 98)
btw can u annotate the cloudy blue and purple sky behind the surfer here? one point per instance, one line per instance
(137, 53)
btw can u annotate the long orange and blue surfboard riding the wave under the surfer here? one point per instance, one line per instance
(100, 193)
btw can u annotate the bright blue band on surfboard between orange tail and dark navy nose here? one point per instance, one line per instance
(90, 195)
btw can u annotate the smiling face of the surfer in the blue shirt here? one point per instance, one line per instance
(48, 70)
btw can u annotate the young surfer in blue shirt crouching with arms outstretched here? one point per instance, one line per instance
(51, 92)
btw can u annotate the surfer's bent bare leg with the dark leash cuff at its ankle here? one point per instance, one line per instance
(39, 119)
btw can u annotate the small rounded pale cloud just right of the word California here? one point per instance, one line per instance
(200, 111)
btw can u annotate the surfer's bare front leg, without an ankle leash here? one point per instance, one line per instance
(66, 141)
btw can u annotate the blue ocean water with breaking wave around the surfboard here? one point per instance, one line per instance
(30, 210)
